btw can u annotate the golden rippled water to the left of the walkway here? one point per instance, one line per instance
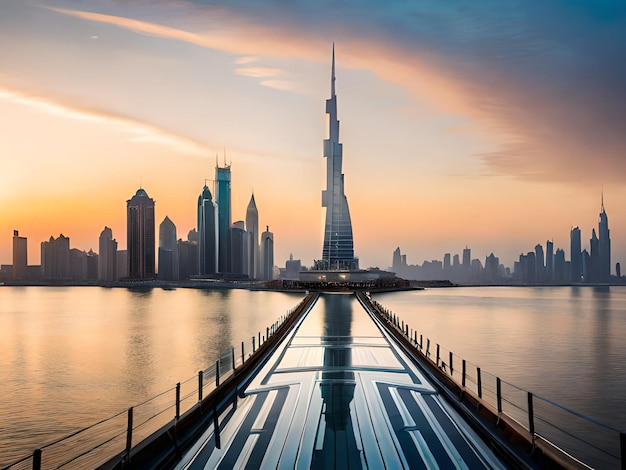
(74, 355)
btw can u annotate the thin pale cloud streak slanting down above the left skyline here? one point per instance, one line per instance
(137, 131)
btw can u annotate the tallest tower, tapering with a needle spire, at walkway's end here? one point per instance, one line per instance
(338, 249)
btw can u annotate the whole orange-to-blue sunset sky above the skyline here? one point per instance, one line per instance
(495, 125)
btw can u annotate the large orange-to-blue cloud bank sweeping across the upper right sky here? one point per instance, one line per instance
(543, 80)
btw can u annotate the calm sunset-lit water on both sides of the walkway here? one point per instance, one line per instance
(72, 356)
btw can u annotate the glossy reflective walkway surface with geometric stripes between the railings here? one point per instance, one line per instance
(338, 393)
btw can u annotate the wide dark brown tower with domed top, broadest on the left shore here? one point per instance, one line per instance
(140, 236)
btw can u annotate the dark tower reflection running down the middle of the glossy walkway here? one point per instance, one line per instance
(337, 386)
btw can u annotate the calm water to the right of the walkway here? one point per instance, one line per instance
(567, 344)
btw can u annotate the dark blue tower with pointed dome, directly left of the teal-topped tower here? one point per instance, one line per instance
(207, 233)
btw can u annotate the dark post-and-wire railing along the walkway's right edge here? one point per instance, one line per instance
(587, 440)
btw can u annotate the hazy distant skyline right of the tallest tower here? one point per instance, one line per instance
(540, 266)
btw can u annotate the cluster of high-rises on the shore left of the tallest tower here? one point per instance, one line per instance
(217, 249)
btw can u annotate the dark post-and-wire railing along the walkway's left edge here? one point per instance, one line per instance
(96, 444)
